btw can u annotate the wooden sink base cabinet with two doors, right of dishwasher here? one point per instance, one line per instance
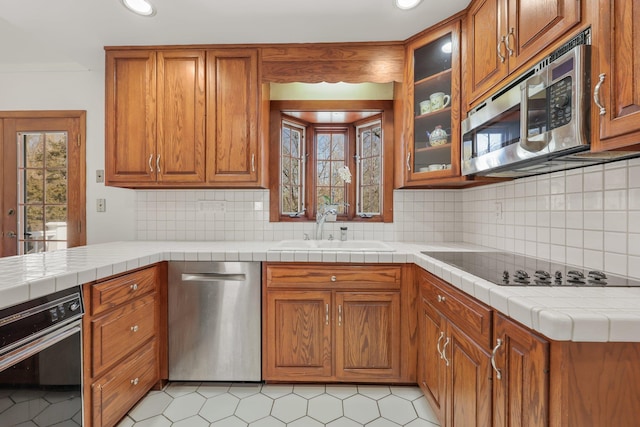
(329, 329)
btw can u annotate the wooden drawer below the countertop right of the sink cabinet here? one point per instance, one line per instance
(469, 315)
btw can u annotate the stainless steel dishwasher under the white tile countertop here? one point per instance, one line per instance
(214, 321)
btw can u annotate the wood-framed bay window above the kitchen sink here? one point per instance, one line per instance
(339, 158)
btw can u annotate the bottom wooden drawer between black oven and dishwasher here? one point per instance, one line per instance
(115, 393)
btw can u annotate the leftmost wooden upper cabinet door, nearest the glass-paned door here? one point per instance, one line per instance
(130, 144)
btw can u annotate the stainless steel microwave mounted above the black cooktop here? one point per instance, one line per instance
(537, 124)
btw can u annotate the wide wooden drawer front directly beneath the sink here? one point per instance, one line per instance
(353, 276)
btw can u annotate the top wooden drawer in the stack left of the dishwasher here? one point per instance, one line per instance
(117, 291)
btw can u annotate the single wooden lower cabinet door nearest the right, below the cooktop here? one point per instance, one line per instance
(521, 393)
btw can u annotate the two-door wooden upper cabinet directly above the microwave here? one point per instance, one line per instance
(502, 35)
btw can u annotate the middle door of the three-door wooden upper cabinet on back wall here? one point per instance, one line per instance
(181, 114)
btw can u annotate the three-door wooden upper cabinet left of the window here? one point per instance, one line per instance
(181, 118)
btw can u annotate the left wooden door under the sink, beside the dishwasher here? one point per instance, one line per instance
(298, 336)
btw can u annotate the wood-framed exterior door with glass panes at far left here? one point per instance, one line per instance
(43, 181)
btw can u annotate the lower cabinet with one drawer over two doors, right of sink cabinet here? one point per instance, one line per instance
(454, 370)
